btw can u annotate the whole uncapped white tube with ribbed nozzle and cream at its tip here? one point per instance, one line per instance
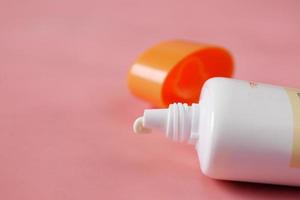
(242, 131)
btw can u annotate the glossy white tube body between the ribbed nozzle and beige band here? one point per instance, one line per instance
(246, 132)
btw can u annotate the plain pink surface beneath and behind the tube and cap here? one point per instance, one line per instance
(66, 113)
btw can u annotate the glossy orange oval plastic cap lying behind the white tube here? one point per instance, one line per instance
(174, 71)
